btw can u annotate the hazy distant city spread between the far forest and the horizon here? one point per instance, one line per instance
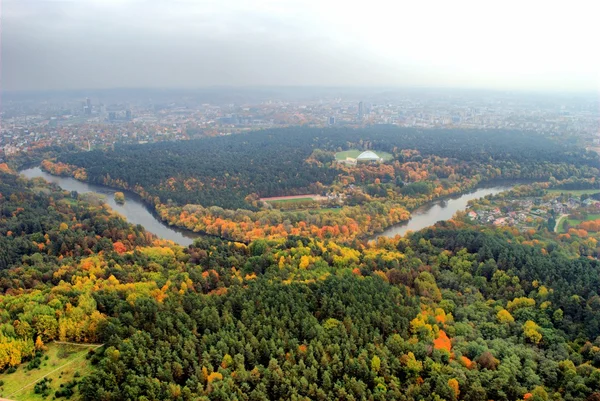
(98, 122)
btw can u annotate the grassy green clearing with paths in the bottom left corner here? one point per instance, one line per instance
(61, 366)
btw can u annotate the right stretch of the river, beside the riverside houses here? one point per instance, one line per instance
(429, 214)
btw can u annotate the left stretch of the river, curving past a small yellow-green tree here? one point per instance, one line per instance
(134, 209)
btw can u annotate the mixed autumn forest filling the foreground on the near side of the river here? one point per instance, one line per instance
(455, 312)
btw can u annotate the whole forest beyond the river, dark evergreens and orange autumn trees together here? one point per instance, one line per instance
(221, 195)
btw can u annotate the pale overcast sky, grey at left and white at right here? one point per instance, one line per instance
(535, 45)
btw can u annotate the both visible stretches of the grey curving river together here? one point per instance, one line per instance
(137, 212)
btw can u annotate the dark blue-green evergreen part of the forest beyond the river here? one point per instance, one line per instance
(223, 171)
